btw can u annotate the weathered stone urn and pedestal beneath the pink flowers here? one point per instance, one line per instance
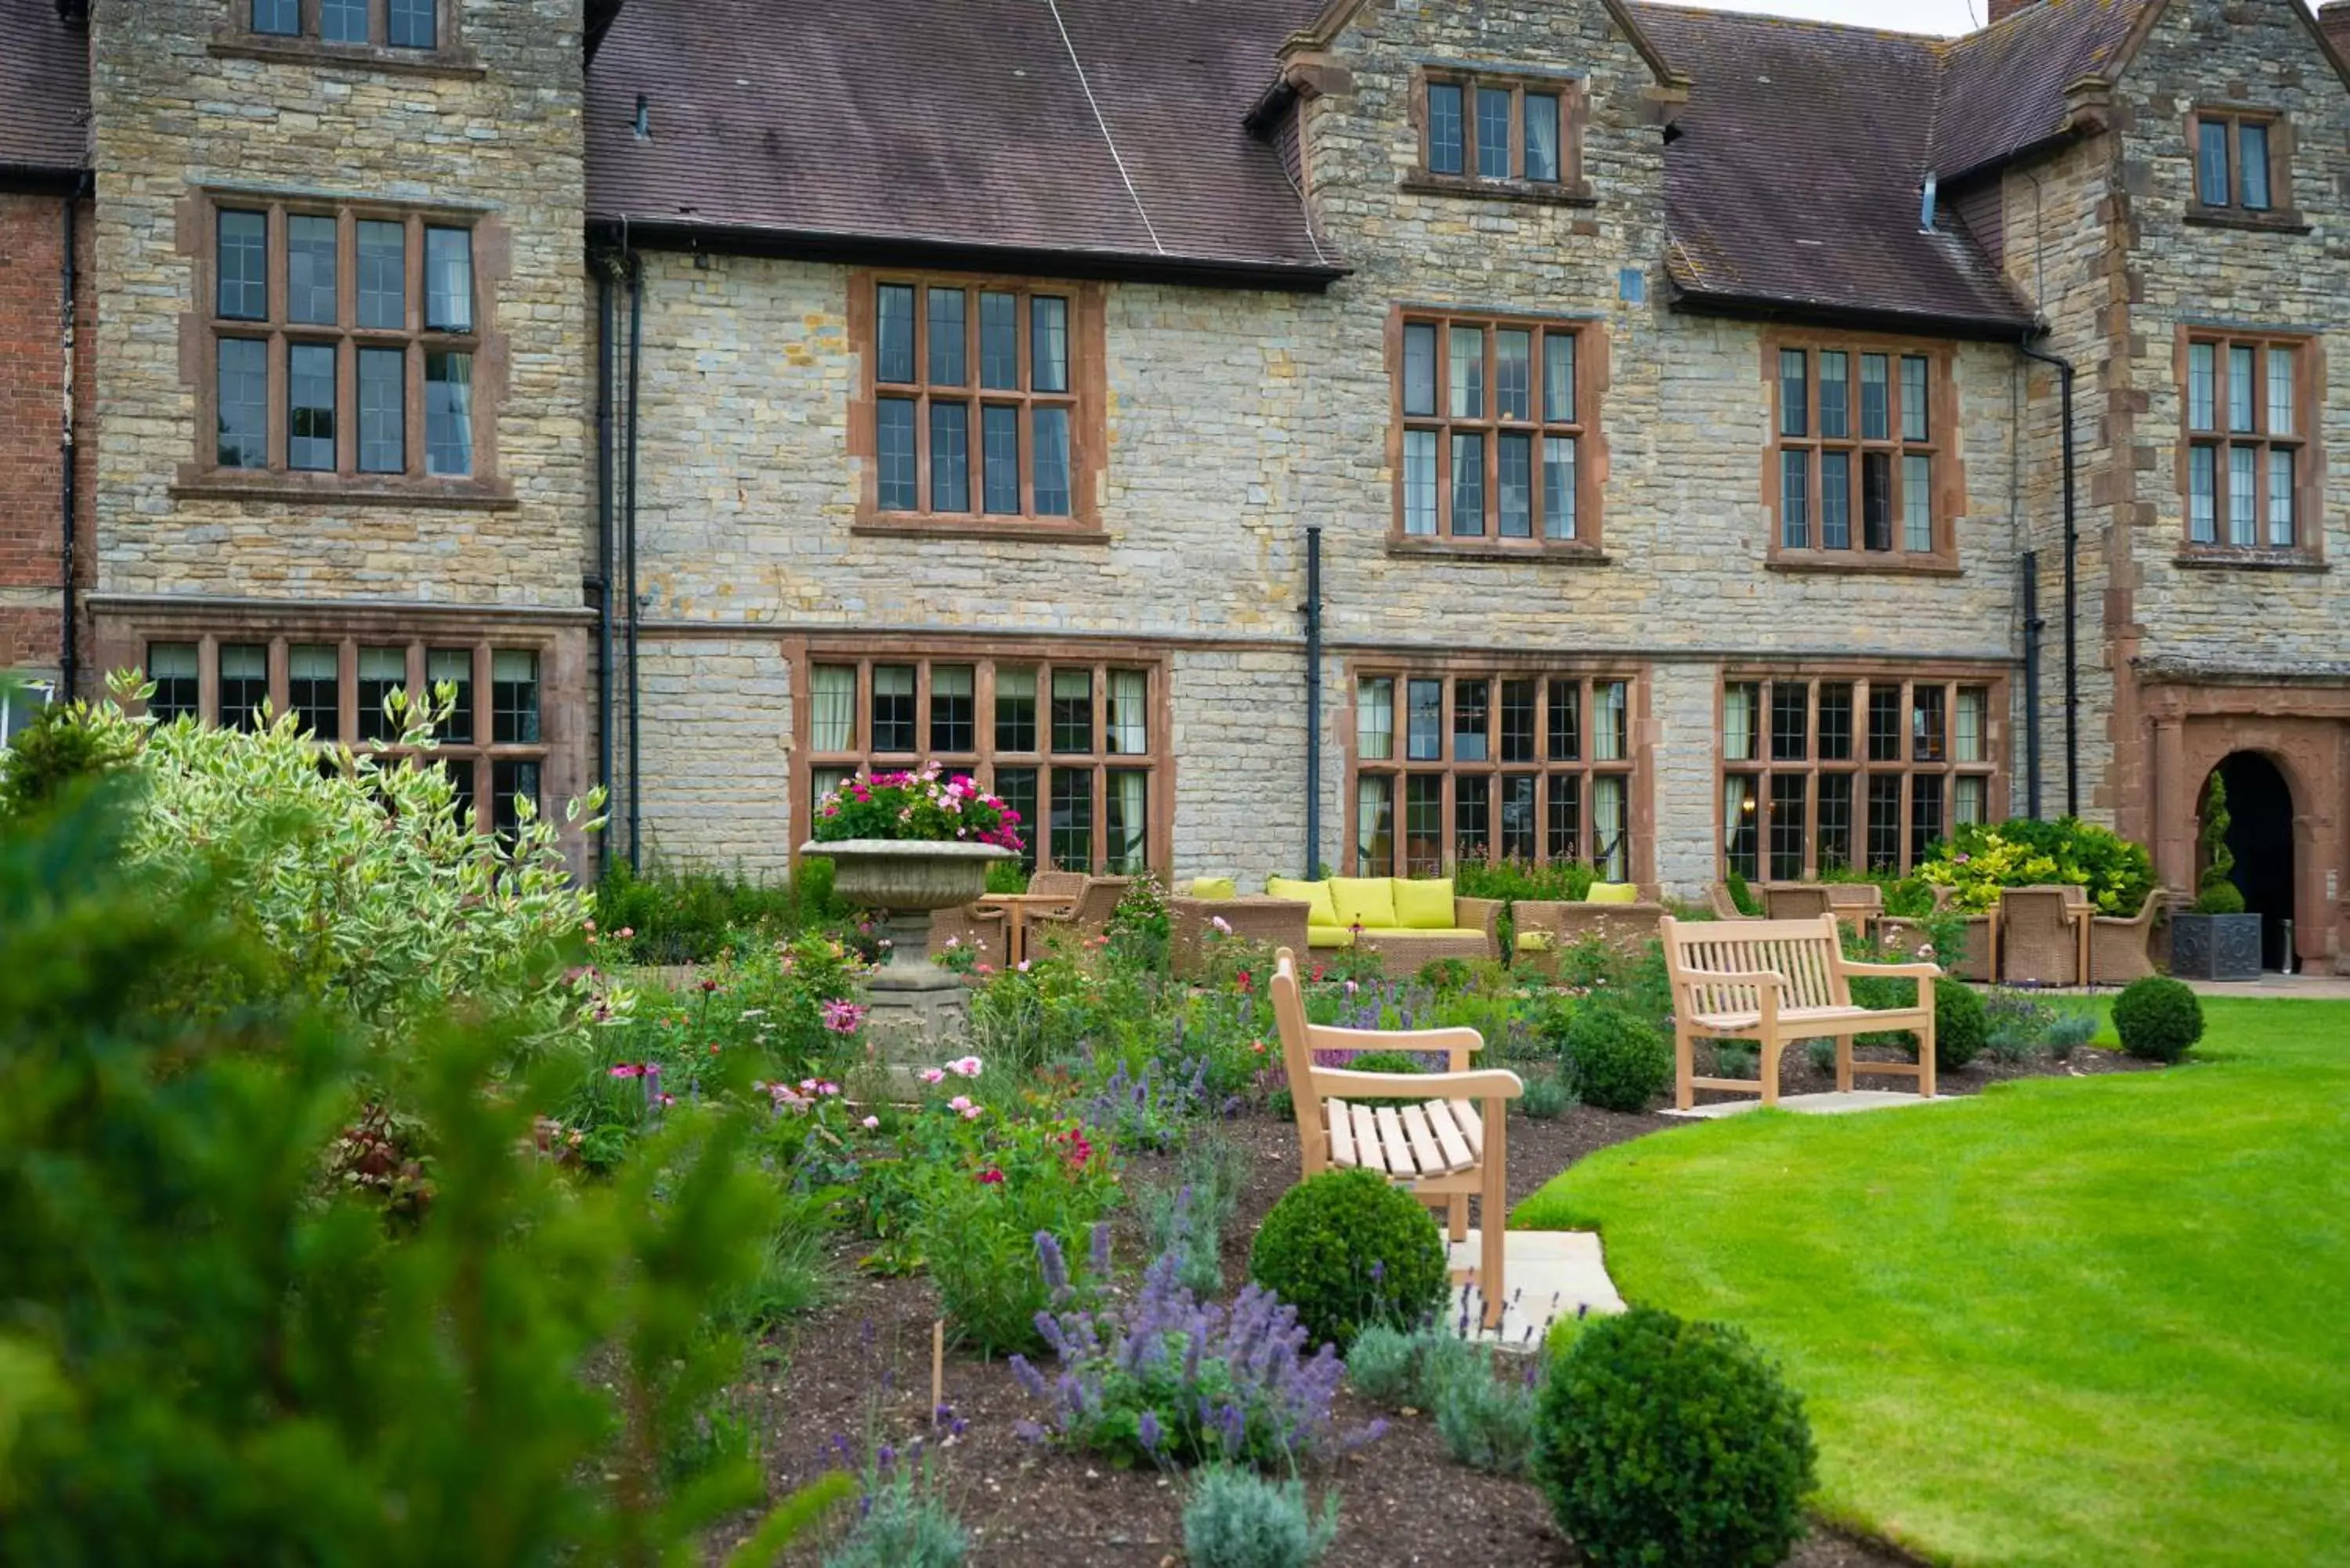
(915, 1005)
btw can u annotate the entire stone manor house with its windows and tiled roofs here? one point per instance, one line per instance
(1247, 434)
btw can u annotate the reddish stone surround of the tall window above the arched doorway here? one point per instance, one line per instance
(2309, 347)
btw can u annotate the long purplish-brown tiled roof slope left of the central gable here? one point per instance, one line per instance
(955, 126)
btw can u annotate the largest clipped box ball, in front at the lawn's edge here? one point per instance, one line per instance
(1670, 1442)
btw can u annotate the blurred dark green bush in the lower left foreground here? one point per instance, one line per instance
(530, 1369)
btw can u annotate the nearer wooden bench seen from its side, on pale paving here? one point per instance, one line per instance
(1444, 1151)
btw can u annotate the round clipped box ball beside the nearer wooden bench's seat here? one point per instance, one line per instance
(1350, 1252)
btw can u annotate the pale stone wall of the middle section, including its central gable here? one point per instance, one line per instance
(1237, 420)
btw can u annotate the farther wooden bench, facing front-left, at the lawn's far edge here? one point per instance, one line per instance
(1778, 981)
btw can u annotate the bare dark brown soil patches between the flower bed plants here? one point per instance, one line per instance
(859, 1372)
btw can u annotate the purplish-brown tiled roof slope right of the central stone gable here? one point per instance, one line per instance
(1797, 175)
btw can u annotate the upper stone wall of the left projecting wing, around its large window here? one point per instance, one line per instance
(173, 119)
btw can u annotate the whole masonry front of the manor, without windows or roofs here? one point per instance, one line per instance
(1233, 422)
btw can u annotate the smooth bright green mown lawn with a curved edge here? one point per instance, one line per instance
(2081, 1322)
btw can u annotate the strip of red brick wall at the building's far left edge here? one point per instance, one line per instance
(32, 422)
